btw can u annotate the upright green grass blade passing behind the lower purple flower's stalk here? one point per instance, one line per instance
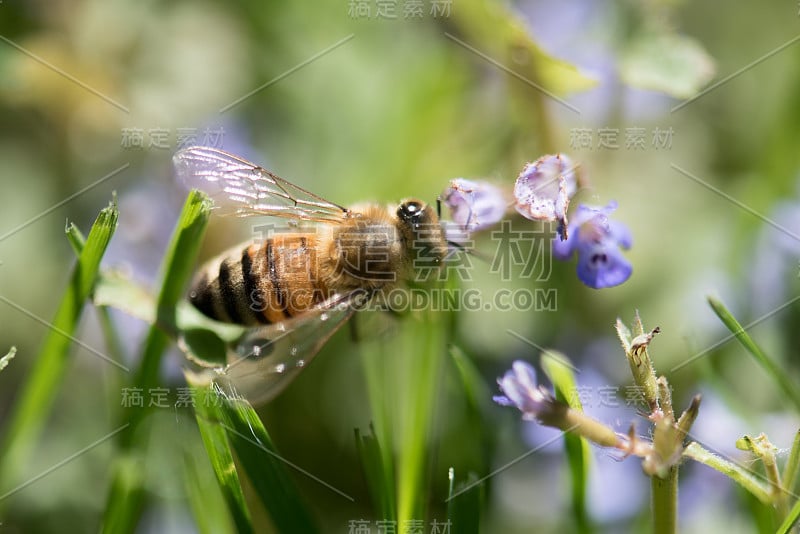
(560, 372)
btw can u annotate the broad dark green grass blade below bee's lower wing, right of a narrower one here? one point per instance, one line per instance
(265, 467)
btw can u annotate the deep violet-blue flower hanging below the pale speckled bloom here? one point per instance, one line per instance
(597, 241)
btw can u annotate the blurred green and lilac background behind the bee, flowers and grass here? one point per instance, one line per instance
(369, 107)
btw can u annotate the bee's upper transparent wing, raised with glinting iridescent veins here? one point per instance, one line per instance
(241, 188)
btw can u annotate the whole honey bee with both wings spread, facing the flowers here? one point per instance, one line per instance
(299, 286)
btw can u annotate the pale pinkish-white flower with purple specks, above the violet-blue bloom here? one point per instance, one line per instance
(543, 190)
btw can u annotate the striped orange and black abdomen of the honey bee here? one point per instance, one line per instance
(261, 284)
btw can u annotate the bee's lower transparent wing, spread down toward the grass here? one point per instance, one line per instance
(267, 359)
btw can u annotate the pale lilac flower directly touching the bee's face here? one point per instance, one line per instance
(474, 205)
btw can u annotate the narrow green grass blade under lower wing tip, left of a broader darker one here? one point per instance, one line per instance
(220, 455)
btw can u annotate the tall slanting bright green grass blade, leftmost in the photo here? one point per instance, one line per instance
(35, 399)
